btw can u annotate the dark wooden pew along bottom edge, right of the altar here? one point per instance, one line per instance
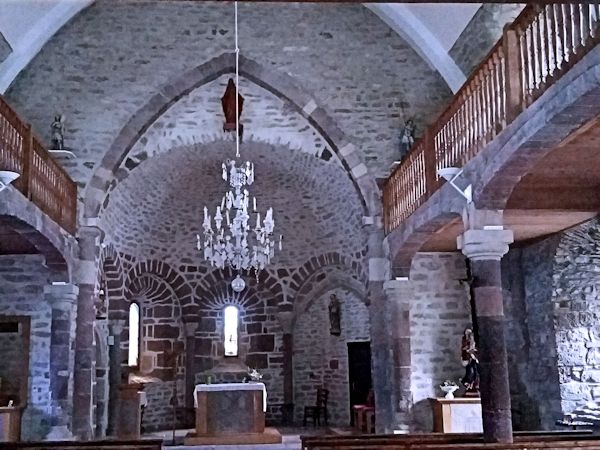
(444, 440)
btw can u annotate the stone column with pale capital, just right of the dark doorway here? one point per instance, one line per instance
(399, 294)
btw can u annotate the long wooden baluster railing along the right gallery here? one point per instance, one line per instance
(542, 44)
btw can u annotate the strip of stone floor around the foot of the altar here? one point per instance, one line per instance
(290, 440)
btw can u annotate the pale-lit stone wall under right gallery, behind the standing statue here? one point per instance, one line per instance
(439, 314)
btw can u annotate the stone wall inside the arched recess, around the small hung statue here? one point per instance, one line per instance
(321, 359)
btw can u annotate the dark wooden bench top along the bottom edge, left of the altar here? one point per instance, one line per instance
(141, 444)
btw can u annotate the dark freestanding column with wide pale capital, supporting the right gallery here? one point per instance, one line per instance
(485, 248)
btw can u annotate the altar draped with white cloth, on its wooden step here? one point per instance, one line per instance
(231, 413)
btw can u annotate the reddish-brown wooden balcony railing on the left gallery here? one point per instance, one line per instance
(42, 180)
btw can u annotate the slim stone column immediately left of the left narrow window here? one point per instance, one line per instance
(115, 329)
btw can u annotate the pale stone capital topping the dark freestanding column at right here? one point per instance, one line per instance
(479, 245)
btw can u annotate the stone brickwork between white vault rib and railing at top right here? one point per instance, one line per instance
(482, 33)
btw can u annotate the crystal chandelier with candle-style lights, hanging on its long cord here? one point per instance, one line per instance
(232, 241)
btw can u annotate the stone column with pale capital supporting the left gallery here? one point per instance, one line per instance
(62, 298)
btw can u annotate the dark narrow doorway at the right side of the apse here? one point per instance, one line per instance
(359, 373)
